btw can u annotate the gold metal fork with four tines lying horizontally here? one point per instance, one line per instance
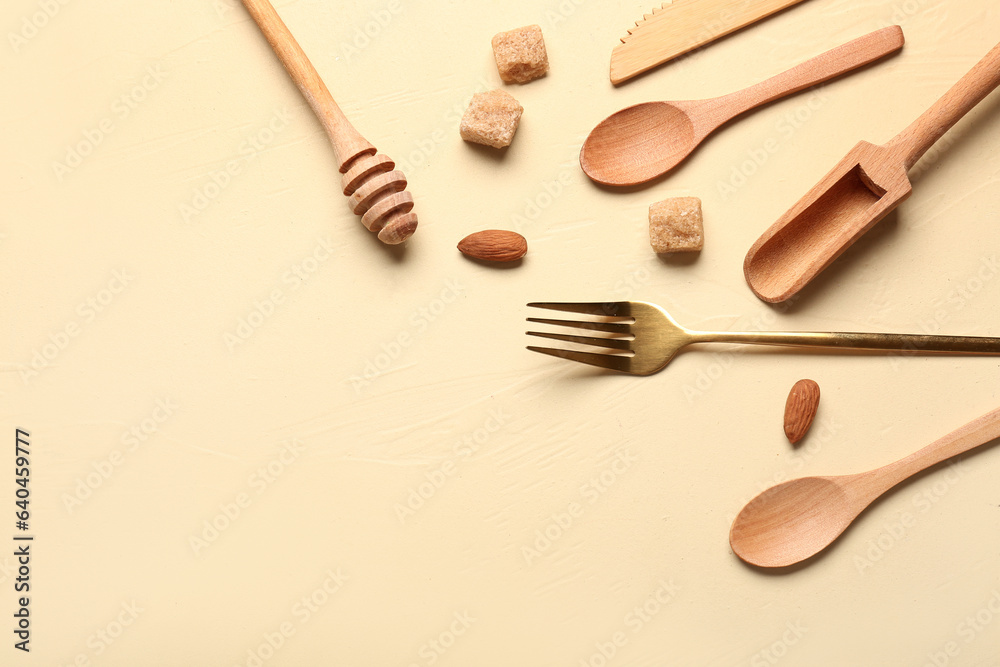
(644, 338)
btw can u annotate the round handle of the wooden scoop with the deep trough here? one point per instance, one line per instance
(970, 90)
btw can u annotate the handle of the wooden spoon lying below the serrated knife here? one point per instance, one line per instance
(822, 68)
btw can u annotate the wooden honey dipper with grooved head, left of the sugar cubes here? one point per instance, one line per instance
(377, 192)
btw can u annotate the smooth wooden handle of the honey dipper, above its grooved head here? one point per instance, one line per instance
(347, 141)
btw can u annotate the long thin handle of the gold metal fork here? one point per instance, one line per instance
(913, 343)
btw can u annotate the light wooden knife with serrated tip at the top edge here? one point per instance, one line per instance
(681, 26)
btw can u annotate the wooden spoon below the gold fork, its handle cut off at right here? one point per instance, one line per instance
(795, 520)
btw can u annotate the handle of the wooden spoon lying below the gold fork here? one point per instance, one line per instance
(974, 434)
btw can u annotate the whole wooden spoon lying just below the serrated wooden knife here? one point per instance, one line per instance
(645, 141)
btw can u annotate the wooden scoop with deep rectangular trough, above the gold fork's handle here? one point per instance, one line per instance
(861, 190)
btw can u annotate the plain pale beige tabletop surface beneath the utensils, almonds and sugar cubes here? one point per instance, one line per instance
(248, 322)
